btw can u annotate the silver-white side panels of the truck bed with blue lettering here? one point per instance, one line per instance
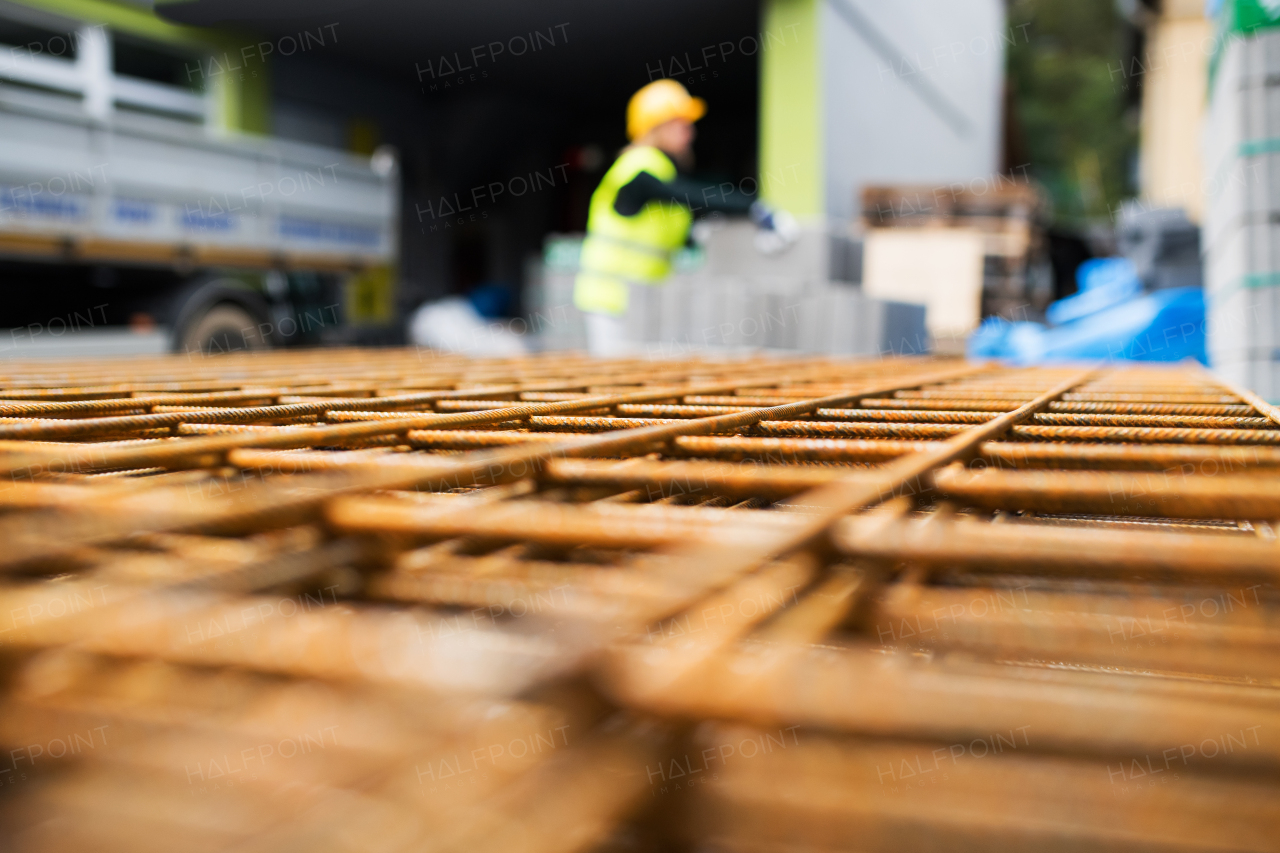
(135, 189)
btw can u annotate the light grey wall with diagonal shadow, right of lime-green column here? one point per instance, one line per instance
(929, 112)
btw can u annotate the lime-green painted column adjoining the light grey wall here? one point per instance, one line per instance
(792, 126)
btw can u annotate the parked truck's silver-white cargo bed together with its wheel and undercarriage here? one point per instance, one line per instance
(230, 241)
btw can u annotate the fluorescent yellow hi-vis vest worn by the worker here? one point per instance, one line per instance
(621, 250)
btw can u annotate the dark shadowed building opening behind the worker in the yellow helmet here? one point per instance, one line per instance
(501, 140)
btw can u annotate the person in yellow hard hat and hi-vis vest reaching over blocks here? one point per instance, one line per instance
(643, 212)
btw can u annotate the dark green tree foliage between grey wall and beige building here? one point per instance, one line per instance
(1076, 103)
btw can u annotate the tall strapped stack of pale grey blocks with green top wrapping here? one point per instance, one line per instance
(1242, 221)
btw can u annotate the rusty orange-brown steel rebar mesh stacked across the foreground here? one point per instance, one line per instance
(399, 601)
